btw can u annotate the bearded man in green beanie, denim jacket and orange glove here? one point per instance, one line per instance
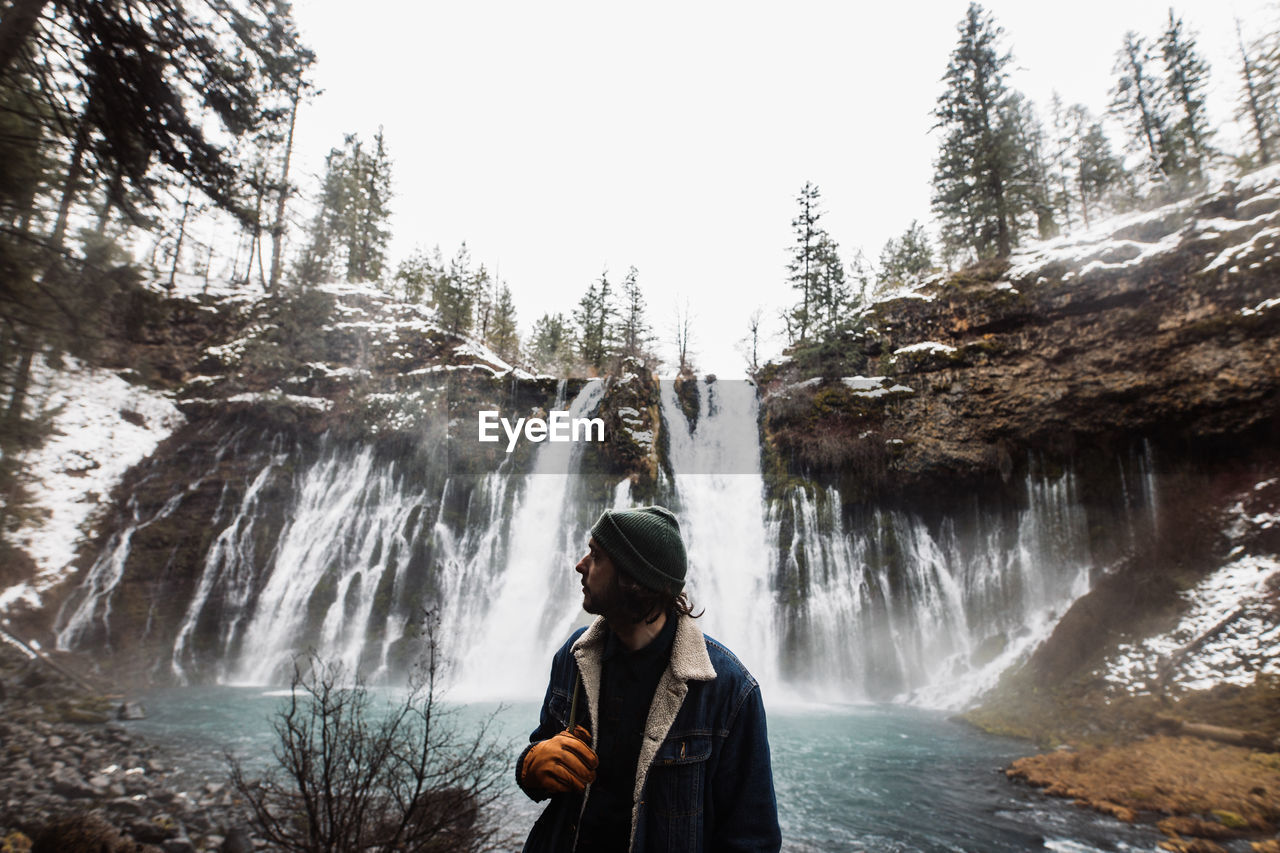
(652, 736)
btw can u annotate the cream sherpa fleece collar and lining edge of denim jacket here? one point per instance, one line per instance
(689, 663)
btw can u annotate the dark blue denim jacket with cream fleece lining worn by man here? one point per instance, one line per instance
(703, 777)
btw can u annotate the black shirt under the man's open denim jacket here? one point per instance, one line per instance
(628, 685)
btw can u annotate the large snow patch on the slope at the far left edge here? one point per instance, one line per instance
(102, 427)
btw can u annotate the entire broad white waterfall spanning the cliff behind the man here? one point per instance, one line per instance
(820, 600)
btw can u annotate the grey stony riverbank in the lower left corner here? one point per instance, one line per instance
(75, 778)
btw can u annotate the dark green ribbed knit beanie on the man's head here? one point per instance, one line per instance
(646, 544)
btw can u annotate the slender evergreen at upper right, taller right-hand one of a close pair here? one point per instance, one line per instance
(1186, 81)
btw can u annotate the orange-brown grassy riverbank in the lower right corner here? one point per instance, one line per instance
(1130, 758)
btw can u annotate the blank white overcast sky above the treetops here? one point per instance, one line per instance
(559, 140)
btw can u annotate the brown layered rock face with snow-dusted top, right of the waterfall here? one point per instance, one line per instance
(1165, 329)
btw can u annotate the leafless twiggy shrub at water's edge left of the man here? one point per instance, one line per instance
(355, 774)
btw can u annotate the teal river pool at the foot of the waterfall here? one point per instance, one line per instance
(849, 779)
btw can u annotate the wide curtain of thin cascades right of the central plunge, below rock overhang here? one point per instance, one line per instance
(890, 608)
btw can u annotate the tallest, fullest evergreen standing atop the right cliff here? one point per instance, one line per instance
(976, 180)
